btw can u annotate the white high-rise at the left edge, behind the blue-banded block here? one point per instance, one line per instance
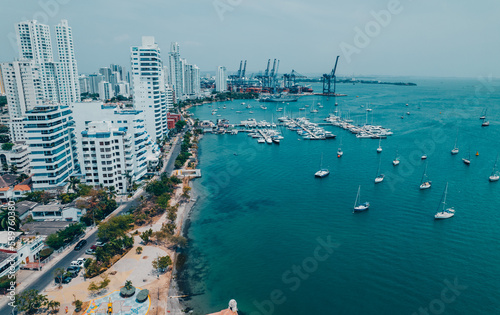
(24, 92)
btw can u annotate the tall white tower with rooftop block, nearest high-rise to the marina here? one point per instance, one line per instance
(149, 86)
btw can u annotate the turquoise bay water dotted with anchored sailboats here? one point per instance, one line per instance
(269, 234)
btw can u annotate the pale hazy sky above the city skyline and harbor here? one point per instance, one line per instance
(447, 38)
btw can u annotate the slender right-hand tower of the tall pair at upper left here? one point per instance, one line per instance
(67, 70)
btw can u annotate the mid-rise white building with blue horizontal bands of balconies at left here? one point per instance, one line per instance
(49, 132)
